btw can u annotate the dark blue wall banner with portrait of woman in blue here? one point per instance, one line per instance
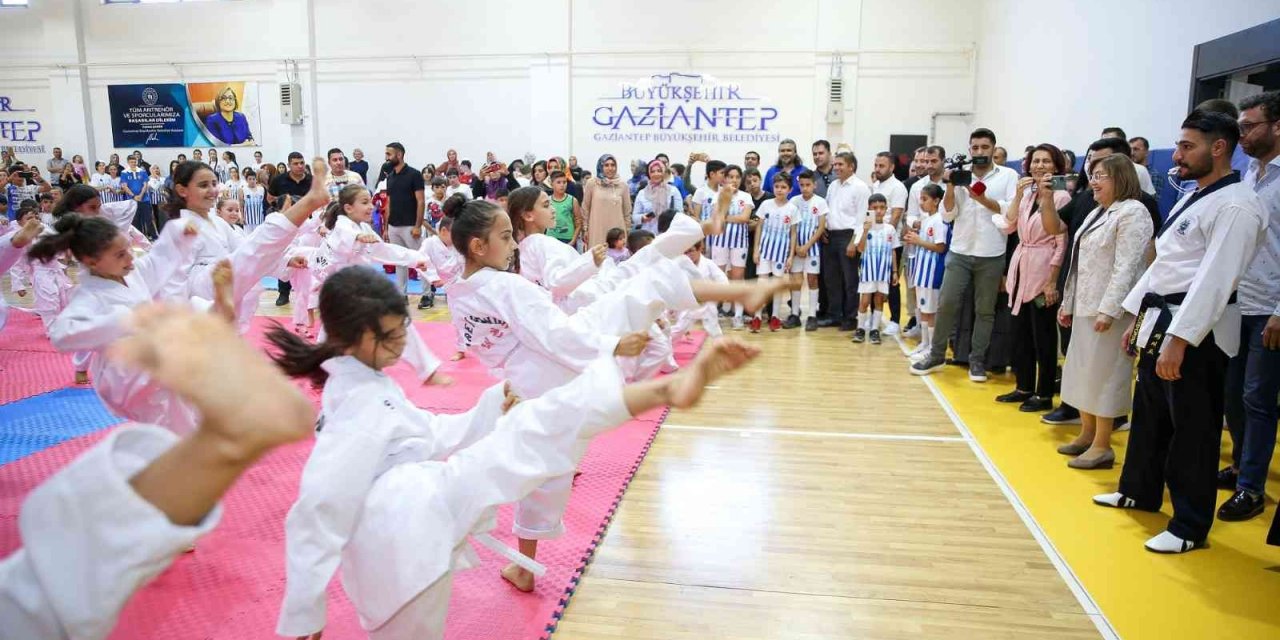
(220, 115)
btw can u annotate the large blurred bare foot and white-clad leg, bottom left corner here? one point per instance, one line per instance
(118, 515)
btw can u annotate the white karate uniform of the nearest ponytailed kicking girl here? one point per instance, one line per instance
(392, 492)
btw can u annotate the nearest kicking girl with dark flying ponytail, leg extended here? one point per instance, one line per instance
(391, 493)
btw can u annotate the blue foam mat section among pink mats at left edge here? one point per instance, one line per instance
(35, 424)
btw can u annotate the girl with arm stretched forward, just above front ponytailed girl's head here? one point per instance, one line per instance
(351, 241)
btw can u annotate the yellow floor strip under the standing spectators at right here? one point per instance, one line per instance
(1231, 589)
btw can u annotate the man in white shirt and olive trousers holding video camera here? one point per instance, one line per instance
(977, 254)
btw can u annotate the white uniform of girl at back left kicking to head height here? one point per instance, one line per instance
(253, 258)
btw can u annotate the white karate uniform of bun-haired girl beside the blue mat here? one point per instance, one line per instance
(97, 317)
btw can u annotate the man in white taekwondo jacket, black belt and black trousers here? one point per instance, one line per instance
(1187, 327)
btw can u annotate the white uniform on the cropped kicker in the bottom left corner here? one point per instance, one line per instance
(90, 542)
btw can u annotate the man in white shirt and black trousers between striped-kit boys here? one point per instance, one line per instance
(847, 199)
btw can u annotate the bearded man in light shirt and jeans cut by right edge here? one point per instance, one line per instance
(1254, 374)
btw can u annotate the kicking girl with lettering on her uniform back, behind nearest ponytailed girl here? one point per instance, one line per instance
(516, 330)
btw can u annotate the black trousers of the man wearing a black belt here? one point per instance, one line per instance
(1176, 440)
